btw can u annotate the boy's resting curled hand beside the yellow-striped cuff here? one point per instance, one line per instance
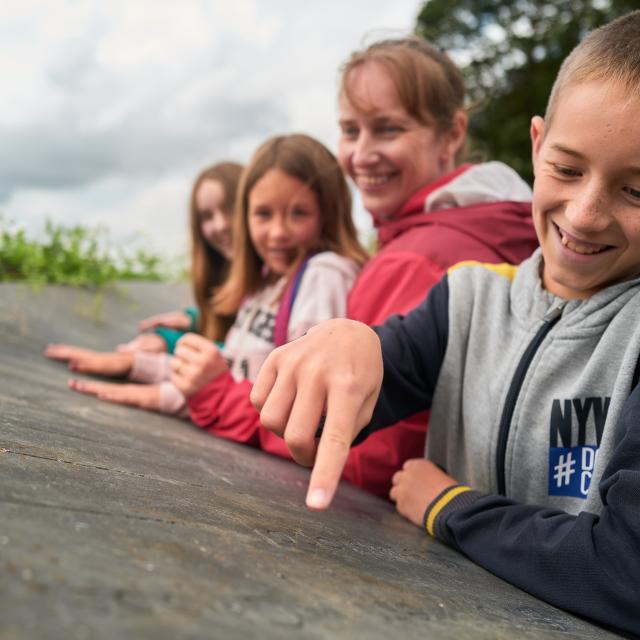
(416, 486)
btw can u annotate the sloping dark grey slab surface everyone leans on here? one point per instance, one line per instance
(120, 523)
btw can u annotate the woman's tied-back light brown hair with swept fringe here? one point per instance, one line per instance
(429, 85)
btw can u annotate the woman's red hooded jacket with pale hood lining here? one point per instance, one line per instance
(417, 247)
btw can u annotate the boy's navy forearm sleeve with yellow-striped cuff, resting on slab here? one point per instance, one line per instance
(550, 554)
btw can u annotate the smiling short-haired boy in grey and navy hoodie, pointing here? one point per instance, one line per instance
(530, 372)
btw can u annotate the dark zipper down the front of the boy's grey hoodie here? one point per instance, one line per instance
(549, 320)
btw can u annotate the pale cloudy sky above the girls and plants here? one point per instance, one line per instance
(109, 109)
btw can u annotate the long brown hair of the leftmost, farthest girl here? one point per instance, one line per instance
(209, 268)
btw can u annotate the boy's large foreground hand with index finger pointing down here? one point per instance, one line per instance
(335, 370)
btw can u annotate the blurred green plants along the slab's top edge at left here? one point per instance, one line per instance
(74, 255)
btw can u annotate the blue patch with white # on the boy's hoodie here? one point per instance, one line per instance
(570, 470)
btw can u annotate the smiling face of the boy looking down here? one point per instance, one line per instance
(586, 202)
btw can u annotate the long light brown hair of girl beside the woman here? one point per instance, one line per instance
(307, 160)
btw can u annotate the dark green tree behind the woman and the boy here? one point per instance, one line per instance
(515, 49)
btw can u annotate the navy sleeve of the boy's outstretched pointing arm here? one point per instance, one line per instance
(413, 347)
